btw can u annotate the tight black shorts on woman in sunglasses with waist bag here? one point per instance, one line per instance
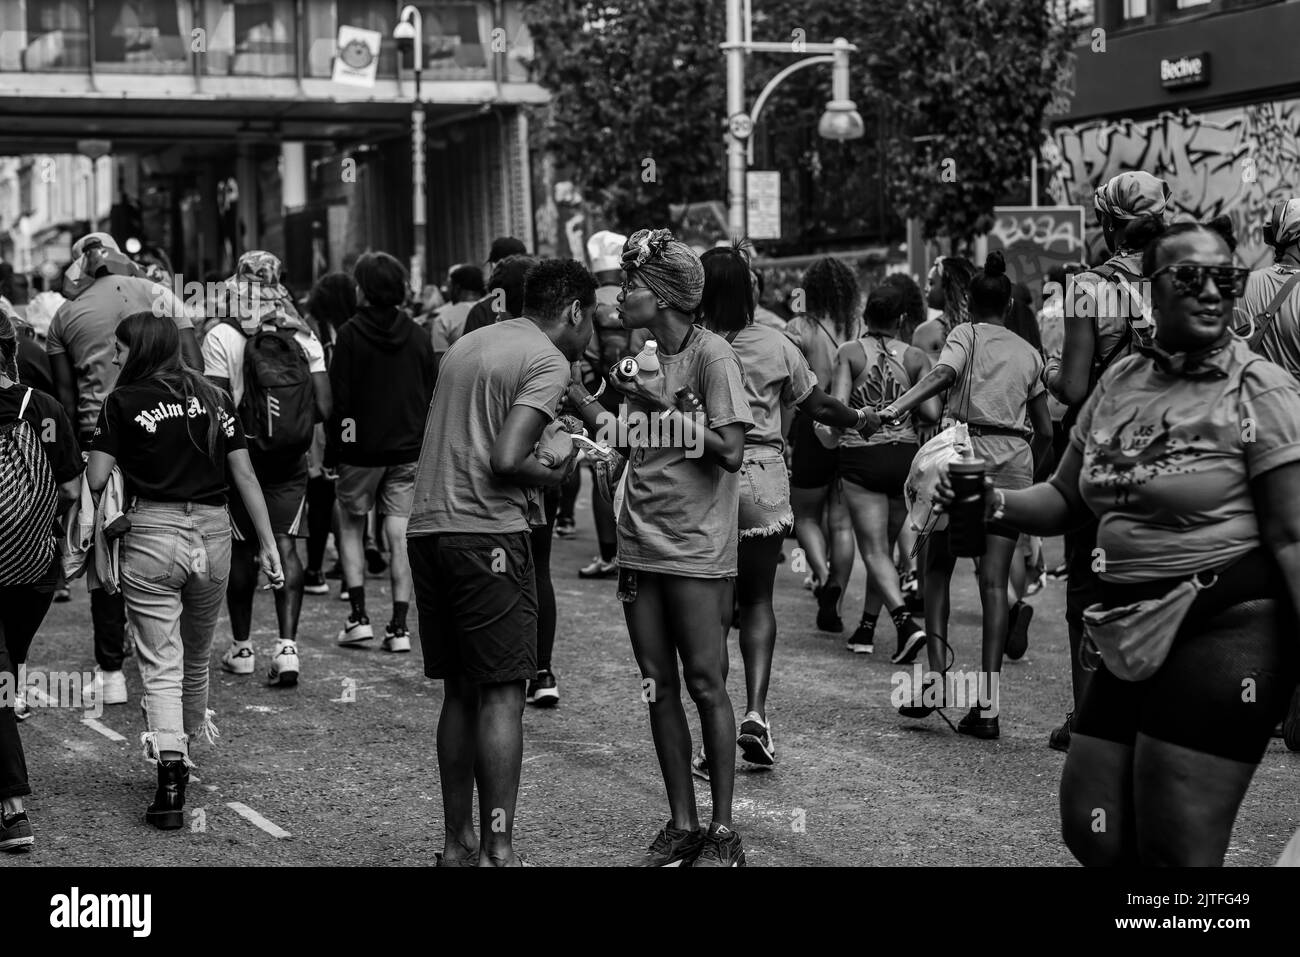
(1228, 679)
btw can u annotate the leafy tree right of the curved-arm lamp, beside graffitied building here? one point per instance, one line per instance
(968, 85)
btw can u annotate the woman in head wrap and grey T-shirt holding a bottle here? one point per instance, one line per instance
(678, 535)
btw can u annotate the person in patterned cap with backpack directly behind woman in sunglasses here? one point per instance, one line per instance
(1100, 319)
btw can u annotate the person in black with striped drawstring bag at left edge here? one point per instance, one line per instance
(23, 608)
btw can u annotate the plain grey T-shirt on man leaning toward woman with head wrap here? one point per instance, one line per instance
(483, 376)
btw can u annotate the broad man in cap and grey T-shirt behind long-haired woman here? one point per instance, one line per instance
(102, 288)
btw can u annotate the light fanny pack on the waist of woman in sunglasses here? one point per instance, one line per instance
(1134, 640)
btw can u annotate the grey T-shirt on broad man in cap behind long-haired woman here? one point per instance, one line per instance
(84, 330)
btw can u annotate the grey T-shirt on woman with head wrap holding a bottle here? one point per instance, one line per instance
(679, 513)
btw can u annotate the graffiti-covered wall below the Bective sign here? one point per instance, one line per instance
(1232, 162)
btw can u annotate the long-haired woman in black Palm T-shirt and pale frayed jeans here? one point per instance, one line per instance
(175, 436)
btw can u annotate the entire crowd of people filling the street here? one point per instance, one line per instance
(1149, 412)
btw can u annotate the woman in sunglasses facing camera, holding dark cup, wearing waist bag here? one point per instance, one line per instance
(1189, 454)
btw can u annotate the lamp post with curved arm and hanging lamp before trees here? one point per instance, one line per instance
(840, 122)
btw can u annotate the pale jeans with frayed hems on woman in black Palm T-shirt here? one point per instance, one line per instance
(176, 561)
